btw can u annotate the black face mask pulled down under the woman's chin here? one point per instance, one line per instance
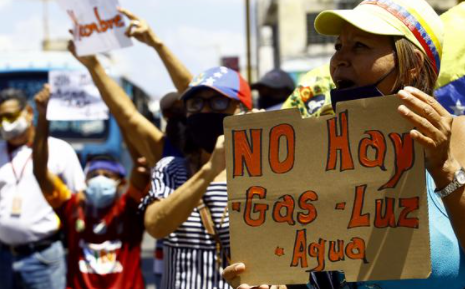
(368, 91)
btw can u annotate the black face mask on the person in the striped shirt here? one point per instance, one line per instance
(205, 128)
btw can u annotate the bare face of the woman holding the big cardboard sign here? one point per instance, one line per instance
(362, 59)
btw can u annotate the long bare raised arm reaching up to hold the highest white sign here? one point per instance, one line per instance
(146, 138)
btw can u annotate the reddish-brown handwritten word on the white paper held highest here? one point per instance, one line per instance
(101, 26)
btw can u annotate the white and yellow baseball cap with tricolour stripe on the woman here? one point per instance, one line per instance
(413, 19)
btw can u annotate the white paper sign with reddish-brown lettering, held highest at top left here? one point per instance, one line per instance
(98, 25)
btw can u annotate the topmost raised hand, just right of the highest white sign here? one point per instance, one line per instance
(139, 29)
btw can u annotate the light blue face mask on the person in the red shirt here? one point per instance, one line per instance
(101, 191)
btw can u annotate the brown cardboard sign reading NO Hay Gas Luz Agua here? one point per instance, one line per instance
(344, 192)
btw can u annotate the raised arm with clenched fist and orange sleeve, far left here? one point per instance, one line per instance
(55, 192)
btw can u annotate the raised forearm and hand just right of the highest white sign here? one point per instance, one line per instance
(140, 30)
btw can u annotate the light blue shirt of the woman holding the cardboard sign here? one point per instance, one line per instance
(447, 258)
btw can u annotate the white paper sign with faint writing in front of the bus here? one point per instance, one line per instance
(74, 97)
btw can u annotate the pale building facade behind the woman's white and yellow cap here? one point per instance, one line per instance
(287, 39)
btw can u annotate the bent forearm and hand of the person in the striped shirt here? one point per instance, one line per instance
(164, 216)
